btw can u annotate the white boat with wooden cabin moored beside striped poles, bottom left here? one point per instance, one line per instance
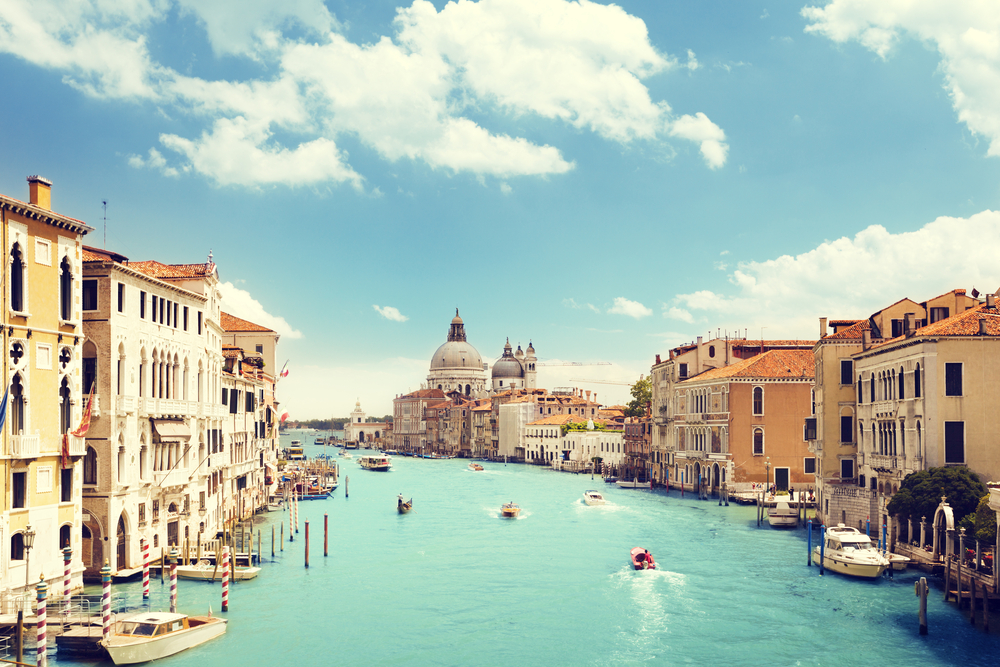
(151, 636)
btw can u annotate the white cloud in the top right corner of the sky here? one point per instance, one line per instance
(966, 35)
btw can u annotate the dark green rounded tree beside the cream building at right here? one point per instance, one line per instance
(921, 492)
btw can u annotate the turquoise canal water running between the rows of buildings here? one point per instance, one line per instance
(454, 584)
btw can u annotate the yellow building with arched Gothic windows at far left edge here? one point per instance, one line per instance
(43, 336)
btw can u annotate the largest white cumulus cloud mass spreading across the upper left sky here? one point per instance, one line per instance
(408, 96)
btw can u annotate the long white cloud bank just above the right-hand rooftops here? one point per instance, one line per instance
(851, 277)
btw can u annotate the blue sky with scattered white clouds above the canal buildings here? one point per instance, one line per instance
(605, 181)
